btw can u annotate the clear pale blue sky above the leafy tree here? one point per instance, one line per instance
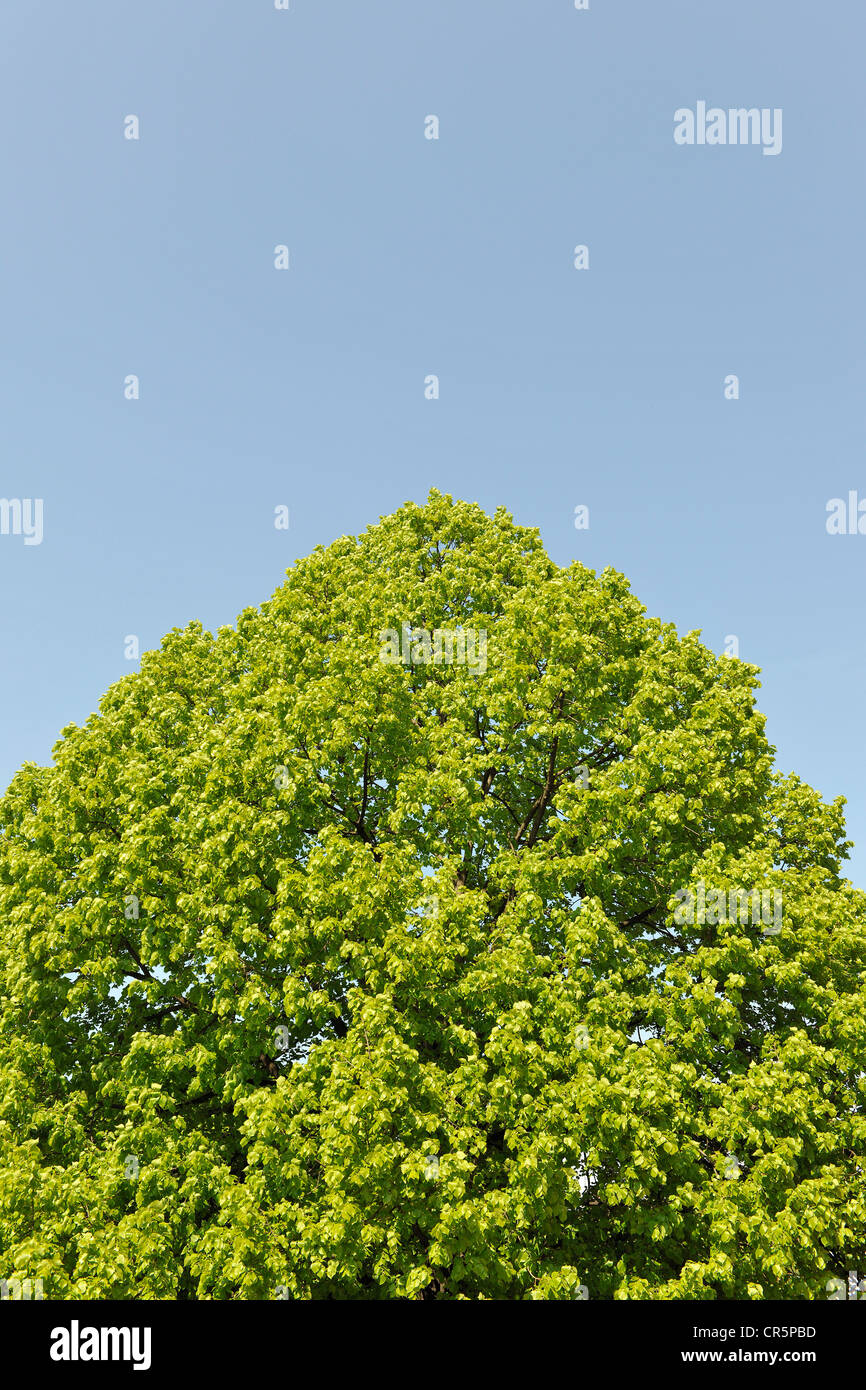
(411, 258)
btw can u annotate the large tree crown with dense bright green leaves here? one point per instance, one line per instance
(347, 956)
